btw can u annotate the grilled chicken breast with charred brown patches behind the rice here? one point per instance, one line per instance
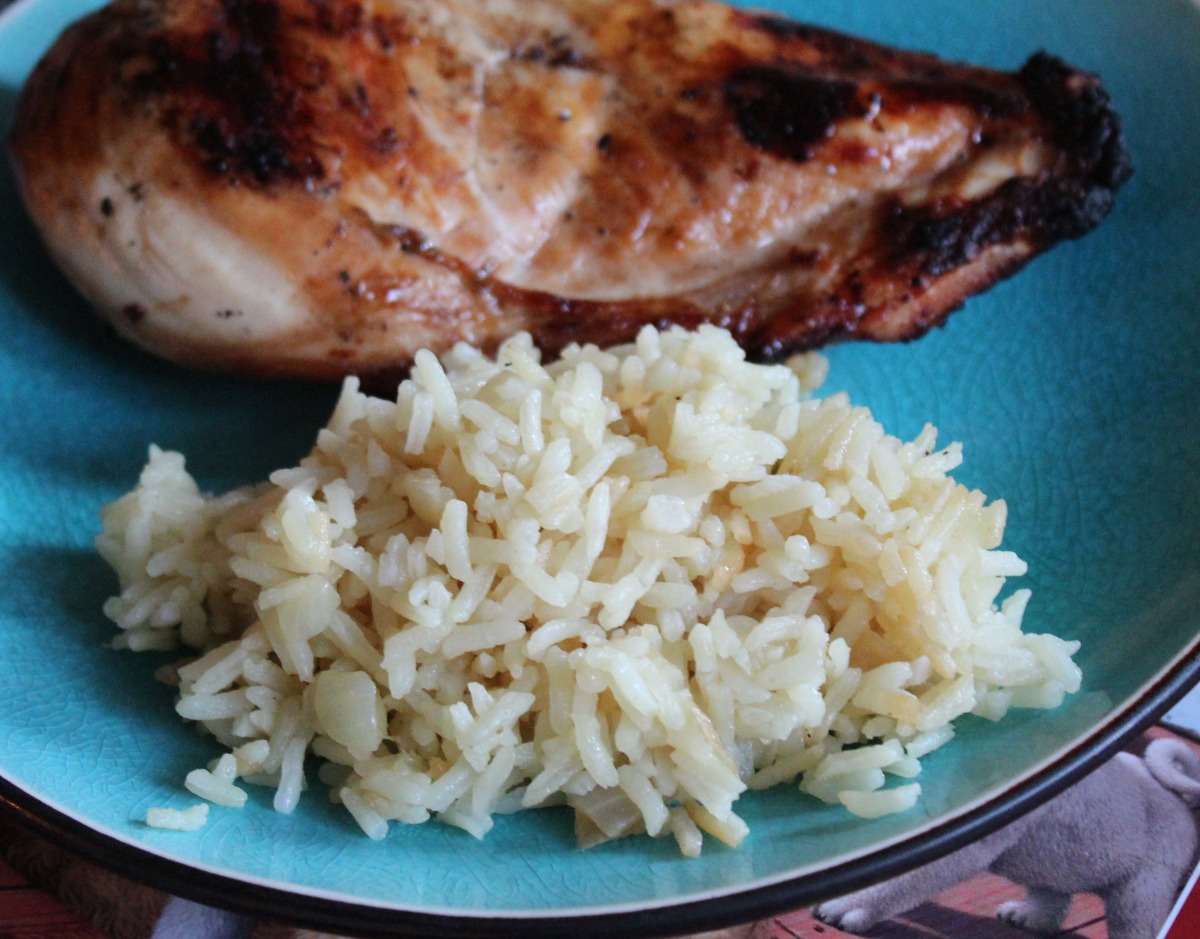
(319, 188)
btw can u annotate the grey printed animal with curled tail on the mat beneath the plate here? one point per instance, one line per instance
(1125, 833)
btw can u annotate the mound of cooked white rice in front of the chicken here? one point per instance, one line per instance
(635, 582)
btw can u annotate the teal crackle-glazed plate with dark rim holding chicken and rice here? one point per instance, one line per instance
(1073, 388)
